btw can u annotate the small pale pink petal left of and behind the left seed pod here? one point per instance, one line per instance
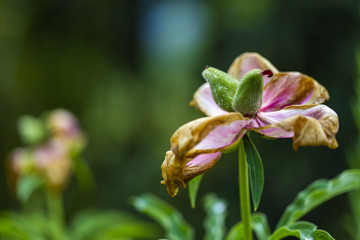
(204, 101)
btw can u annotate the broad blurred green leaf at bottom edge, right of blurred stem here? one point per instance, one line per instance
(102, 225)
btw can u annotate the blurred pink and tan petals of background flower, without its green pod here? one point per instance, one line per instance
(51, 160)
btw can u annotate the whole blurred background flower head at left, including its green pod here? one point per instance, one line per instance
(50, 159)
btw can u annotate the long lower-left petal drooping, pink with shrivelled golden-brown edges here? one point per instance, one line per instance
(194, 148)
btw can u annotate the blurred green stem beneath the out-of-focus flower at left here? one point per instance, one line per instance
(56, 215)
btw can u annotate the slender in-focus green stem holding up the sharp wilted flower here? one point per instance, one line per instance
(244, 193)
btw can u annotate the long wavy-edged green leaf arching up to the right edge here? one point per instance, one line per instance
(319, 192)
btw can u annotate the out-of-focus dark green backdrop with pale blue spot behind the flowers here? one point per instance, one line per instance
(128, 69)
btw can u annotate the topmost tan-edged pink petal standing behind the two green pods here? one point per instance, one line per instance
(248, 61)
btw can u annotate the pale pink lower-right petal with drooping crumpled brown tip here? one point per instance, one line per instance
(308, 125)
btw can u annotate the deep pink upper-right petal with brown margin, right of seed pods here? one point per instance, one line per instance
(292, 88)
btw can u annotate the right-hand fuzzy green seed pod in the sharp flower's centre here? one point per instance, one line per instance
(249, 94)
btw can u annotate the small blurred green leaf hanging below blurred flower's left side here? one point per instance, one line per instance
(27, 185)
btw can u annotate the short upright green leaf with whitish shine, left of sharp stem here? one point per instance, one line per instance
(215, 219)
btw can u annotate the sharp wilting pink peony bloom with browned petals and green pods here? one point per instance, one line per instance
(289, 107)
